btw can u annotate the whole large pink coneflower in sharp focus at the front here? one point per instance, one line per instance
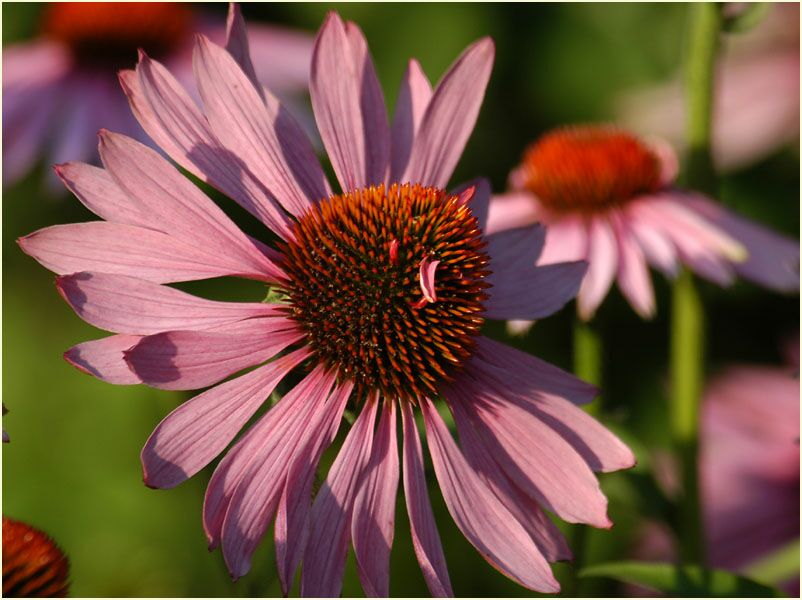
(386, 286)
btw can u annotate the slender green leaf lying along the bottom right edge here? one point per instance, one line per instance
(679, 580)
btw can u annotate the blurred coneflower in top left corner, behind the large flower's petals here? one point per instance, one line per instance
(61, 87)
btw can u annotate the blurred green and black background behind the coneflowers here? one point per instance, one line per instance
(72, 468)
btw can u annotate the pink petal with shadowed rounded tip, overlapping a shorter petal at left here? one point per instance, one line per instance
(189, 360)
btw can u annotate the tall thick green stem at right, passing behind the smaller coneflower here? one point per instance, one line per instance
(687, 336)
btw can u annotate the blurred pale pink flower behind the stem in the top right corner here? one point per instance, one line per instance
(756, 109)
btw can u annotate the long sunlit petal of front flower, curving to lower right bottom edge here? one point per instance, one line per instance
(481, 517)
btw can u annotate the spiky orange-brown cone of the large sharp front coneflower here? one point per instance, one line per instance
(366, 286)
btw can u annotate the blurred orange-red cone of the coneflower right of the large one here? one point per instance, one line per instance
(589, 168)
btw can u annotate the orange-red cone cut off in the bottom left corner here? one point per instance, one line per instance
(33, 564)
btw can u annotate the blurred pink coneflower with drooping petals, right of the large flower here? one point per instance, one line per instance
(608, 197)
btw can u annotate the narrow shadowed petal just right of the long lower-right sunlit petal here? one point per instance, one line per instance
(526, 511)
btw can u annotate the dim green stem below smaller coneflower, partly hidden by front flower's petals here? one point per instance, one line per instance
(587, 366)
